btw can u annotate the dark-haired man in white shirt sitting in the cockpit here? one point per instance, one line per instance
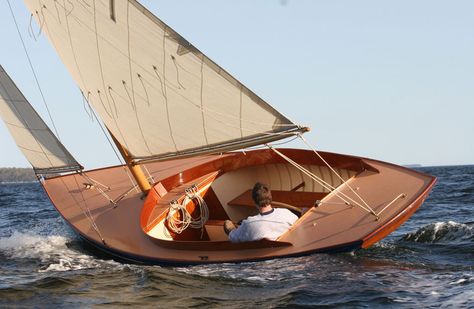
(270, 223)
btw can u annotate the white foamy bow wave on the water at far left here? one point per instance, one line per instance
(51, 251)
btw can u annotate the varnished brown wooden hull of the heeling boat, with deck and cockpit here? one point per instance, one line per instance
(125, 230)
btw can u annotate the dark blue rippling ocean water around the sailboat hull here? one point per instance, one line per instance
(427, 262)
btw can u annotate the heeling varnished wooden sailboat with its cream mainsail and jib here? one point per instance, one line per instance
(179, 121)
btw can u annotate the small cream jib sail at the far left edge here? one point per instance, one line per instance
(39, 145)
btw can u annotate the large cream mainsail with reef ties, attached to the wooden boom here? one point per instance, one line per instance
(157, 94)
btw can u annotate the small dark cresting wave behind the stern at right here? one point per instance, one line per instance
(441, 232)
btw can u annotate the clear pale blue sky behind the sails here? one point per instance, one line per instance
(387, 80)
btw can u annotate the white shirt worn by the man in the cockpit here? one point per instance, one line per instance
(269, 225)
